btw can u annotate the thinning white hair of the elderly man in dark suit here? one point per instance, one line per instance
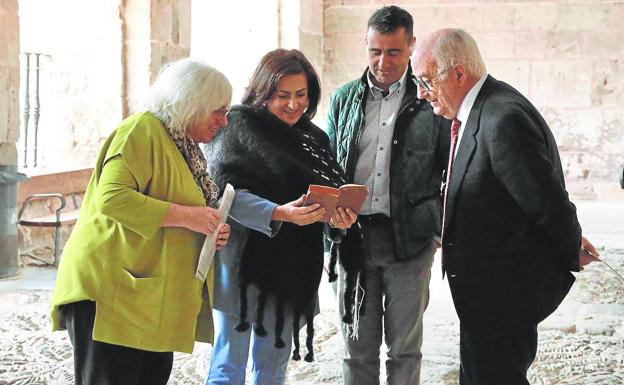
(456, 46)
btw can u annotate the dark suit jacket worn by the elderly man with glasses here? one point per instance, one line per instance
(511, 235)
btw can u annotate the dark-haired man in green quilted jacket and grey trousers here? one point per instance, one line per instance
(389, 140)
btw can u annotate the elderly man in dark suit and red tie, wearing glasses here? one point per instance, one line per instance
(510, 234)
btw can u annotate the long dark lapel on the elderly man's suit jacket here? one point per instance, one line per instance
(466, 149)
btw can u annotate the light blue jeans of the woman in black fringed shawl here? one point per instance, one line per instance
(228, 360)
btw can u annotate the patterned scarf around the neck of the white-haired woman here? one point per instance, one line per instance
(197, 165)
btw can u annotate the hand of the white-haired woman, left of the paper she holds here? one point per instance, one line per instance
(201, 219)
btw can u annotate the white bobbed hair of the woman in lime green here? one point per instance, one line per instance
(186, 90)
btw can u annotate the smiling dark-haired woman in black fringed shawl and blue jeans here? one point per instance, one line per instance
(272, 150)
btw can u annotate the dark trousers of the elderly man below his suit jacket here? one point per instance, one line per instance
(496, 360)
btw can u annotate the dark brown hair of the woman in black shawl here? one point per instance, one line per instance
(272, 67)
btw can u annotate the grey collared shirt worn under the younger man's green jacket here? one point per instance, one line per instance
(373, 164)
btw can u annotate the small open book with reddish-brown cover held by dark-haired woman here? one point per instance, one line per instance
(346, 196)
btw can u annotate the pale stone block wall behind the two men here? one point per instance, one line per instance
(566, 57)
